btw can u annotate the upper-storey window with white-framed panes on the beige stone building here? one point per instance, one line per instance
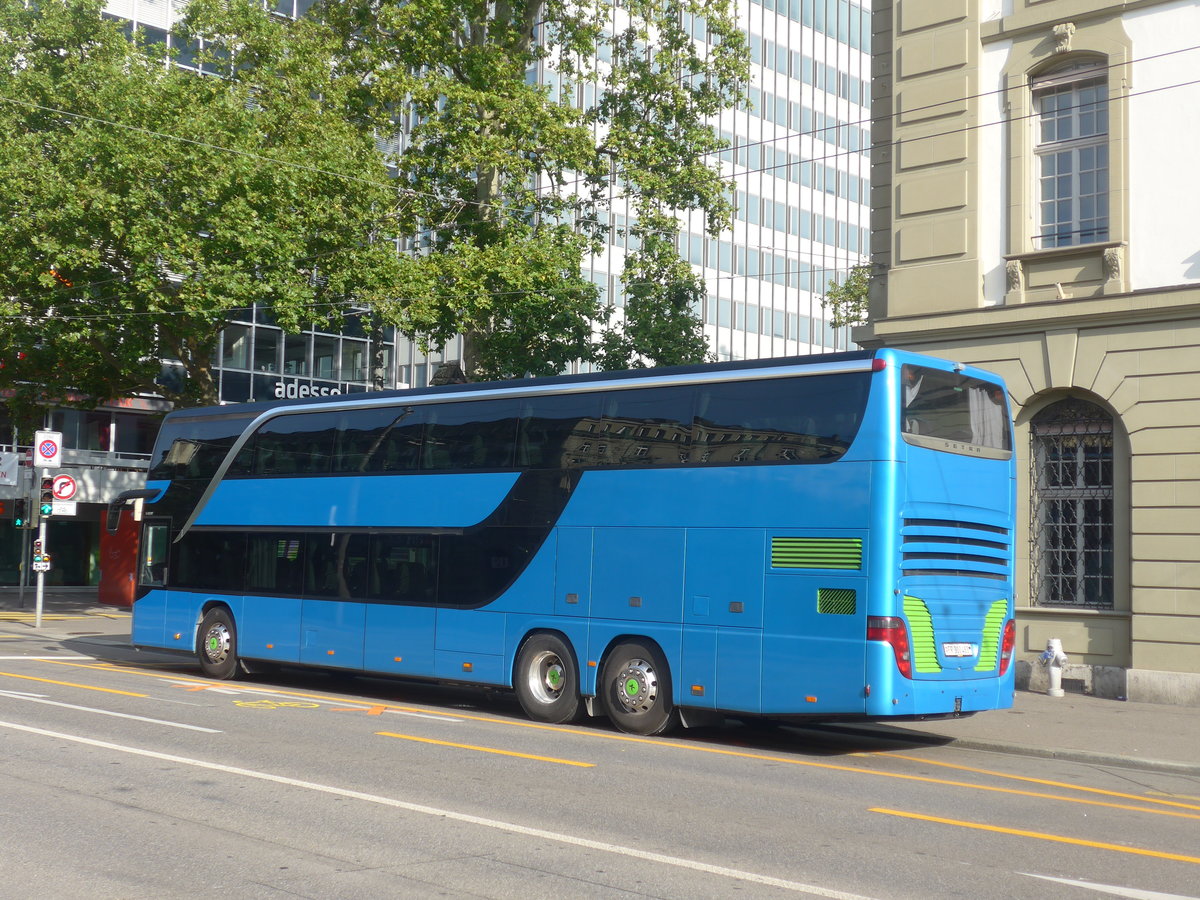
(1072, 149)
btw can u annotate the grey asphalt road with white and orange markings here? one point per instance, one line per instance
(137, 778)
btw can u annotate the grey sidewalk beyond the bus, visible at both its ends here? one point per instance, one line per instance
(1084, 729)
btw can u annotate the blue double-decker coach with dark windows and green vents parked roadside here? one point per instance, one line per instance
(827, 536)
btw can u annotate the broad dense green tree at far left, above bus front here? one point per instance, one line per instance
(142, 202)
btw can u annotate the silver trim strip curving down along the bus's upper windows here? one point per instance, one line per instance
(539, 391)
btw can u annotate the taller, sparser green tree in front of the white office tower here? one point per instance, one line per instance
(515, 183)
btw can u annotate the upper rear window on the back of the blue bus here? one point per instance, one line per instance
(944, 410)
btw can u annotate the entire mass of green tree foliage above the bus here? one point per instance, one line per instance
(142, 203)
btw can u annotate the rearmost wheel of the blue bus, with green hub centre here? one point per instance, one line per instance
(635, 689)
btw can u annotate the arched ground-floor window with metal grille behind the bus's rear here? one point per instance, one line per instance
(1072, 507)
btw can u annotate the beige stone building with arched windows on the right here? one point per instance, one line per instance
(1034, 191)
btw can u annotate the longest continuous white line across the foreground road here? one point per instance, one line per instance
(497, 825)
